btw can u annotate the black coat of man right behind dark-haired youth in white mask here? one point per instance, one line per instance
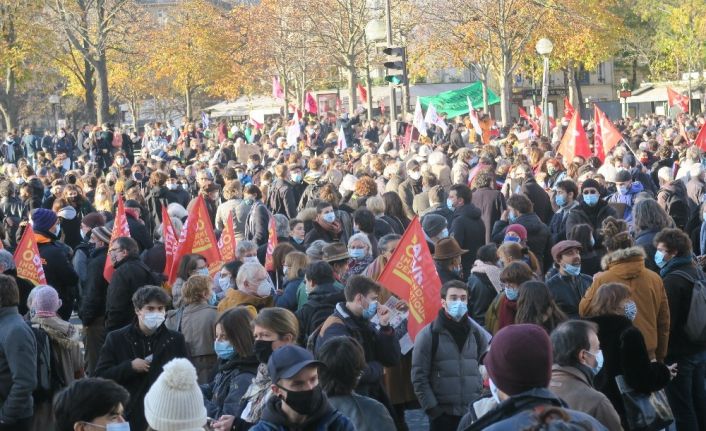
(129, 275)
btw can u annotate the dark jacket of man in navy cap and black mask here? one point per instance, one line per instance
(326, 418)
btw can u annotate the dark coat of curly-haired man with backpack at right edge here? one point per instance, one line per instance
(679, 291)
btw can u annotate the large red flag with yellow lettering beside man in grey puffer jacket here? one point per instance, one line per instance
(411, 275)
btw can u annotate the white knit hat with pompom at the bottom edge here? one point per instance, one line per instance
(174, 402)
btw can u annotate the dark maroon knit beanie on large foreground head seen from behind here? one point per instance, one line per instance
(520, 359)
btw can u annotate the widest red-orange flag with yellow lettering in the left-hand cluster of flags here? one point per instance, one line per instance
(197, 237)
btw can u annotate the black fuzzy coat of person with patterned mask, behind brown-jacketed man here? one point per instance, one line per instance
(624, 353)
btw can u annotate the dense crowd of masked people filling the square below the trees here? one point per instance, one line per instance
(561, 280)
